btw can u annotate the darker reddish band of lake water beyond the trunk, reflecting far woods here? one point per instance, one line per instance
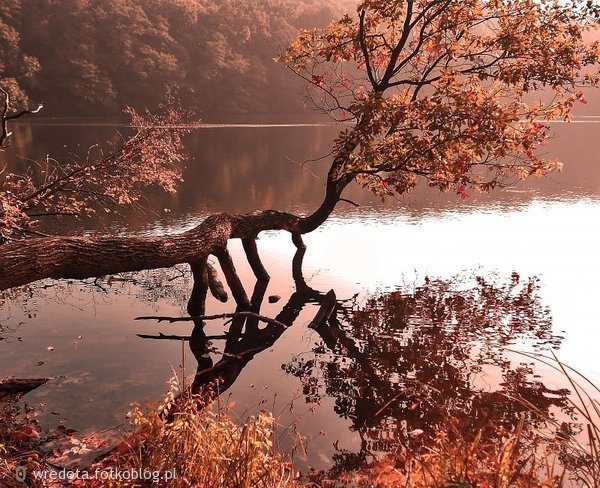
(245, 169)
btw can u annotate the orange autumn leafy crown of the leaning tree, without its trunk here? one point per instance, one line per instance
(455, 93)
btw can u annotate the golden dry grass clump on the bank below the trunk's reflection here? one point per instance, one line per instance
(205, 447)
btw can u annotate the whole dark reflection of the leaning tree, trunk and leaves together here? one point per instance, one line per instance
(405, 360)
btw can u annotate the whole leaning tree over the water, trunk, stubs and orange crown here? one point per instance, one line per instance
(455, 94)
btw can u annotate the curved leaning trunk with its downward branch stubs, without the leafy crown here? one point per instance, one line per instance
(26, 261)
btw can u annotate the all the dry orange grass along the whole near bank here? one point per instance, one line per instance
(210, 448)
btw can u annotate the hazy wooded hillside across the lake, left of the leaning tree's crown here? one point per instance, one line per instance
(93, 57)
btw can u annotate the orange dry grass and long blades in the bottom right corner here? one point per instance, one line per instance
(555, 456)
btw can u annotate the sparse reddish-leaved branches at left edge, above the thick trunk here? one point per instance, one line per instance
(104, 179)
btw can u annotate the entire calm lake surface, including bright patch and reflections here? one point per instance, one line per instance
(435, 290)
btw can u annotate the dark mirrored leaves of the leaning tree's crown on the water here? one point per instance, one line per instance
(407, 361)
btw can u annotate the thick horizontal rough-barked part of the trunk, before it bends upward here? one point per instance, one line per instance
(25, 261)
